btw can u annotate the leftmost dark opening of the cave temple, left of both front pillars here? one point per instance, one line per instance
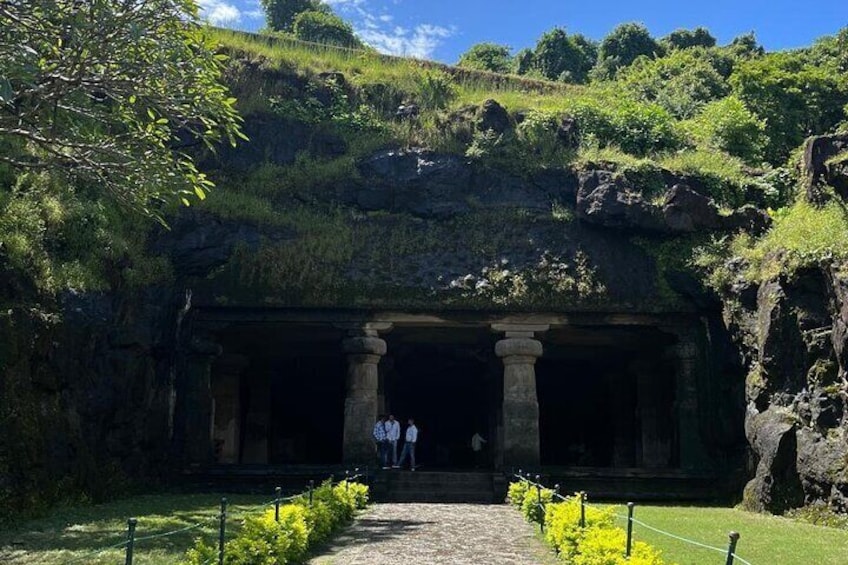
(279, 396)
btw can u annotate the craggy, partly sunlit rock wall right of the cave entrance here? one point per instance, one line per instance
(793, 329)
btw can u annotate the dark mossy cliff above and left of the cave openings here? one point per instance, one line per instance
(89, 394)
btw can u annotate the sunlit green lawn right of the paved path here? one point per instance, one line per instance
(765, 540)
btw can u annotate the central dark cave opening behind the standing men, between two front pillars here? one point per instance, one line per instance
(449, 381)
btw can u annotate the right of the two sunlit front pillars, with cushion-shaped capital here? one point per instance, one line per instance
(520, 409)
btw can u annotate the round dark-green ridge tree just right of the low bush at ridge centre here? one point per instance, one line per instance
(559, 56)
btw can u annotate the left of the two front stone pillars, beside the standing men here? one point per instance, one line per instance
(364, 350)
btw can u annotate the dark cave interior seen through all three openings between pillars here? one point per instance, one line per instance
(283, 403)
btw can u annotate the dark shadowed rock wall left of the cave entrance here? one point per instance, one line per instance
(85, 396)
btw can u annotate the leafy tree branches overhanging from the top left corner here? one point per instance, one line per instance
(107, 91)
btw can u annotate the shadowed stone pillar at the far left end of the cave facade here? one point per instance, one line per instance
(197, 404)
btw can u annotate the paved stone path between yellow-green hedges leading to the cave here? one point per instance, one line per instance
(435, 534)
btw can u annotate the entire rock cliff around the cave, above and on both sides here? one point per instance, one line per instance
(91, 394)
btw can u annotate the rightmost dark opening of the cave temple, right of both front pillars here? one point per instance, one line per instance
(607, 399)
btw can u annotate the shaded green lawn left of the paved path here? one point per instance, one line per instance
(70, 535)
